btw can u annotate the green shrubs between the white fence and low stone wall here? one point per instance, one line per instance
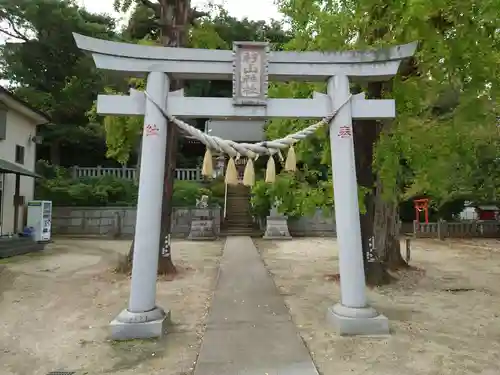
(59, 187)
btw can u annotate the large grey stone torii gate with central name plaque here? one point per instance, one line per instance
(142, 318)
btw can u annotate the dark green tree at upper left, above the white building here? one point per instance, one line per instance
(46, 68)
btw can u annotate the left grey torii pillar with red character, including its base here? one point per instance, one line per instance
(143, 318)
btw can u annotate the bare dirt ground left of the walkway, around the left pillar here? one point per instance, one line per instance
(55, 308)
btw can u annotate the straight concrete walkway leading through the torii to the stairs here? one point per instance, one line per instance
(249, 330)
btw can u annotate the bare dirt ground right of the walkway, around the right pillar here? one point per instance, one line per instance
(444, 320)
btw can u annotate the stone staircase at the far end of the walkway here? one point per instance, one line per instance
(238, 220)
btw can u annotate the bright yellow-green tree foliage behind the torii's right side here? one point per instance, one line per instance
(447, 99)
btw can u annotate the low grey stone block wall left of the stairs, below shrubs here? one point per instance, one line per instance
(115, 221)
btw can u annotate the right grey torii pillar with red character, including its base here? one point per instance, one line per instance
(353, 315)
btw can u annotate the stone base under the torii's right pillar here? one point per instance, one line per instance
(349, 321)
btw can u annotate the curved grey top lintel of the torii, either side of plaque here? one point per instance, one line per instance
(191, 63)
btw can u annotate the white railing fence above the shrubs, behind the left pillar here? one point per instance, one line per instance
(185, 174)
